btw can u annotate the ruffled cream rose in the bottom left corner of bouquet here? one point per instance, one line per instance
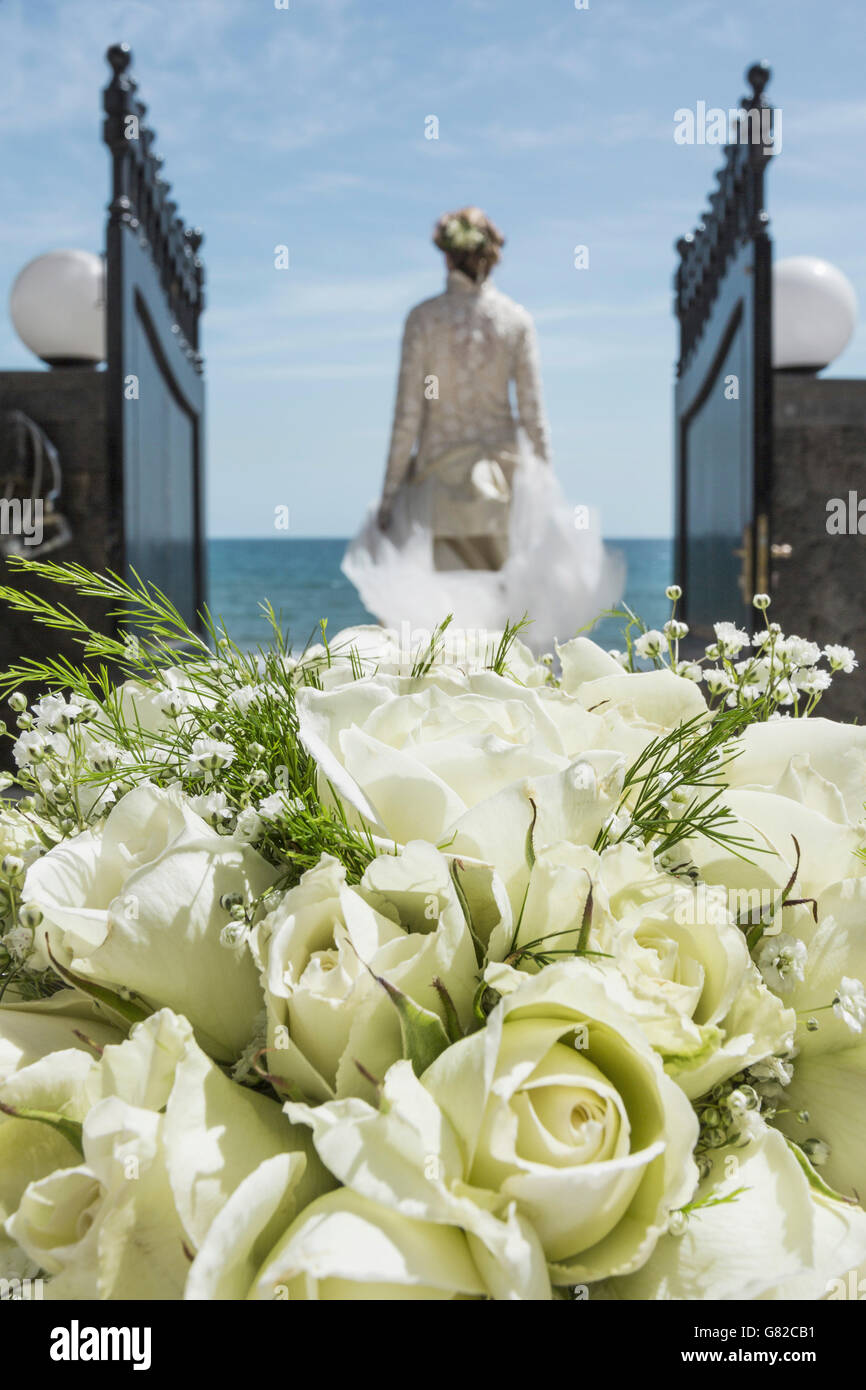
(165, 1140)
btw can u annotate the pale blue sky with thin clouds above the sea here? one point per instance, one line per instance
(305, 127)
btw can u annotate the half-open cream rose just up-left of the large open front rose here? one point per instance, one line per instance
(325, 949)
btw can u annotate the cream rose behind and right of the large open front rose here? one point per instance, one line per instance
(697, 995)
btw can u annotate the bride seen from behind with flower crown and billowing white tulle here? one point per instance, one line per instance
(472, 521)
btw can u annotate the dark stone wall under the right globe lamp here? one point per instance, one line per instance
(819, 443)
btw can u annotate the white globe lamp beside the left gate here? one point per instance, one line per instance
(58, 306)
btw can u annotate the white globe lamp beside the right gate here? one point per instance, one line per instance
(814, 313)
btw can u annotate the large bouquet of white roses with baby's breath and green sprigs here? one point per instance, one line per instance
(409, 970)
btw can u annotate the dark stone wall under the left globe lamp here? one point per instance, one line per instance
(70, 405)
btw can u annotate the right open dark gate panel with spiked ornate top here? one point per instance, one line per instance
(725, 382)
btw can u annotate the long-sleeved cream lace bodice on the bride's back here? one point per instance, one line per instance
(461, 352)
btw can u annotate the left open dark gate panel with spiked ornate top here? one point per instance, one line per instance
(156, 386)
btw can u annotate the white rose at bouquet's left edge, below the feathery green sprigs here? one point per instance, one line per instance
(138, 907)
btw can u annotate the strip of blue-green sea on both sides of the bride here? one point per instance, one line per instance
(304, 582)
